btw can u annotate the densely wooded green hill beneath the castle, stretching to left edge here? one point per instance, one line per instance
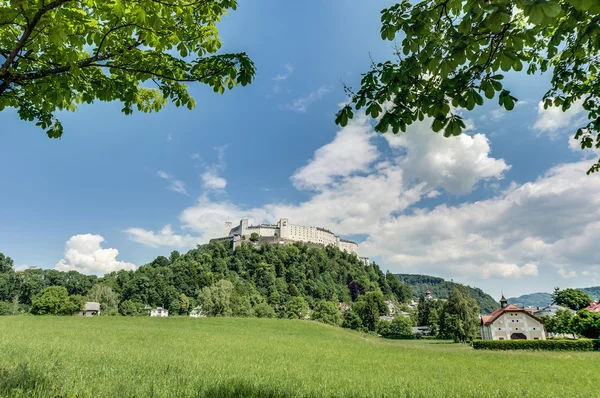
(264, 279)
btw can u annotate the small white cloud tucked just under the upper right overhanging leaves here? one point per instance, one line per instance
(554, 122)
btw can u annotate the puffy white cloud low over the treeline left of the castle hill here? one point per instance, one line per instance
(85, 254)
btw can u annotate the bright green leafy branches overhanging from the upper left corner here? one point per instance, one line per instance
(56, 54)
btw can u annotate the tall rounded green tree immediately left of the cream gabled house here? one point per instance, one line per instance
(460, 317)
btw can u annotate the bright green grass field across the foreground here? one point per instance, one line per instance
(227, 357)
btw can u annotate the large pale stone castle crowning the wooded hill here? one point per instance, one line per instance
(283, 232)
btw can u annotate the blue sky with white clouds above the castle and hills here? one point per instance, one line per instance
(506, 207)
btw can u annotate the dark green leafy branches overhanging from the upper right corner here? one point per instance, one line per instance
(452, 52)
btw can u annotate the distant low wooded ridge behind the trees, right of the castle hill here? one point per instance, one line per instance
(440, 288)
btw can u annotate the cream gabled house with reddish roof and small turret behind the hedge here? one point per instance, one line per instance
(510, 322)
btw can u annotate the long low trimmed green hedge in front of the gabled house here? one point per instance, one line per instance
(549, 345)
